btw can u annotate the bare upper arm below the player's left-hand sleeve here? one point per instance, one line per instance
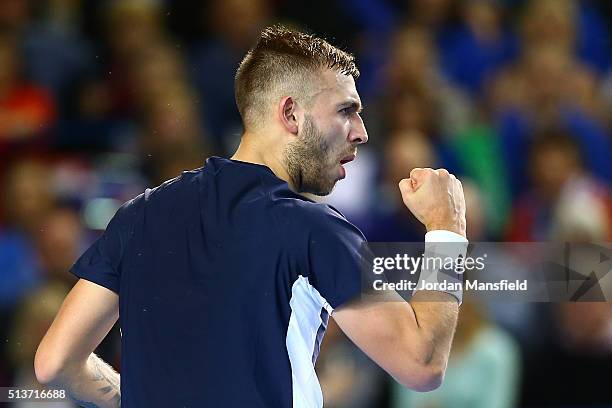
(85, 318)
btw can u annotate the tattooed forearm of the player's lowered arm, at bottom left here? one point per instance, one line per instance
(93, 384)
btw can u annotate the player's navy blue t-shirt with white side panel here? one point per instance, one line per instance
(226, 280)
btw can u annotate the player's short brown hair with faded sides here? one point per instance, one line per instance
(284, 62)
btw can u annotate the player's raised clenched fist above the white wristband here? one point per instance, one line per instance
(435, 197)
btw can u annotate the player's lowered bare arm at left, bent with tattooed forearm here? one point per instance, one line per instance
(65, 358)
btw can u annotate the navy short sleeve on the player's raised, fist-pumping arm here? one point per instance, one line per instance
(335, 257)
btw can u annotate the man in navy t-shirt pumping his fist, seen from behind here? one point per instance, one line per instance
(224, 278)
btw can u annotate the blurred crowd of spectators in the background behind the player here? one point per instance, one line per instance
(101, 99)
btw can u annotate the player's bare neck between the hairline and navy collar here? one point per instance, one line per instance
(259, 149)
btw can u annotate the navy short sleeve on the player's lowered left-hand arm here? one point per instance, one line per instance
(100, 262)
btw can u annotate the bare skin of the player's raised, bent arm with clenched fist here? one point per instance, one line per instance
(412, 341)
